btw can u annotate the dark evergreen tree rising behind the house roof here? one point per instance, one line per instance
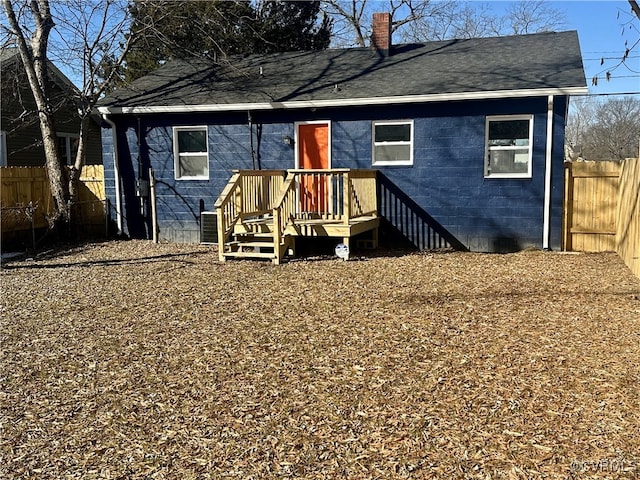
(217, 28)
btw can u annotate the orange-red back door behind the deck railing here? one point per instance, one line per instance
(313, 153)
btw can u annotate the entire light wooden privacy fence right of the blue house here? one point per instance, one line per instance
(601, 211)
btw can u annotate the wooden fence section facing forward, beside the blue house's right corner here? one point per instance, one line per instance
(591, 206)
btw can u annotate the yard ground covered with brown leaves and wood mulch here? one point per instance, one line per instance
(134, 360)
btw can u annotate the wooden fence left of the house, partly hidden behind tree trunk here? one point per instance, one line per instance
(25, 200)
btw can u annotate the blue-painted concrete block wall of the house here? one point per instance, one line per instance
(446, 178)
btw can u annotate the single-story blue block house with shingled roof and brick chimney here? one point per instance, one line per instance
(464, 137)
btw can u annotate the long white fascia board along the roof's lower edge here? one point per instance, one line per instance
(343, 102)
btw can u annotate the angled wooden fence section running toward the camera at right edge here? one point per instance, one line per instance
(628, 231)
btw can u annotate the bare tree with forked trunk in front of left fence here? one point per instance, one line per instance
(84, 37)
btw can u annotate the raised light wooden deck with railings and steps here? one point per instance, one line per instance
(261, 212)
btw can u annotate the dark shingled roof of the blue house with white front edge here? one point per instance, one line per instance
(512, 66)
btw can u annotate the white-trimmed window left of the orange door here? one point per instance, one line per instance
(191, 153)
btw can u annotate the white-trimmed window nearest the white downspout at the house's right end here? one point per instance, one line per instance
(509, 142)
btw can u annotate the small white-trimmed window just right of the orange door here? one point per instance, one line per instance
(393, 142)
